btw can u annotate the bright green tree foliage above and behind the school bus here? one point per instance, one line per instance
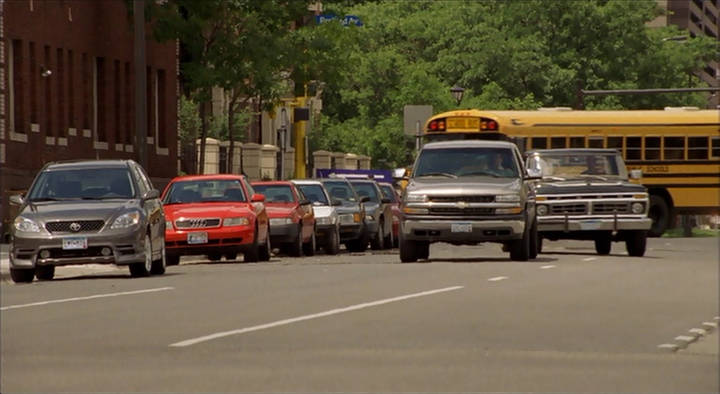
(506, 54)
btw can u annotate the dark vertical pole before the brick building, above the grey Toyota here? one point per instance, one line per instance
(140, 83)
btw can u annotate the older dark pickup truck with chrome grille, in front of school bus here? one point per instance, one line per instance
(585, 194)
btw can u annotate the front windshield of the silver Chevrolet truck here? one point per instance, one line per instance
(460, 162)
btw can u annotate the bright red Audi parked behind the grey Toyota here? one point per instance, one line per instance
(215, 215)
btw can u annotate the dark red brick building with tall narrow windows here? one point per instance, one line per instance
(67, 89)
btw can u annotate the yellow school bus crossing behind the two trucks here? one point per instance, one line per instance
(677, 149)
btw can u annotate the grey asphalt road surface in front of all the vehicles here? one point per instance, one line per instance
(469, 320)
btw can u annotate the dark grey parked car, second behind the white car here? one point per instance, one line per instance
(378, 213)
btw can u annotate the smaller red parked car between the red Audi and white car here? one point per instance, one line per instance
(292, 218)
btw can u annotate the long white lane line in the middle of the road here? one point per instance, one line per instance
(331, 312)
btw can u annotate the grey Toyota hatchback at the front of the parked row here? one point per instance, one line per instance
(80, 212)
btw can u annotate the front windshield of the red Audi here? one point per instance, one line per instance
(198, 191)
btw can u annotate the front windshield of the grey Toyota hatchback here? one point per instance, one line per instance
(86, 184)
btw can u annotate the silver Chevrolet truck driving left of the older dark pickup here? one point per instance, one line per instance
(468, 192)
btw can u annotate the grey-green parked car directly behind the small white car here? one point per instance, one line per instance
(351, 213)
